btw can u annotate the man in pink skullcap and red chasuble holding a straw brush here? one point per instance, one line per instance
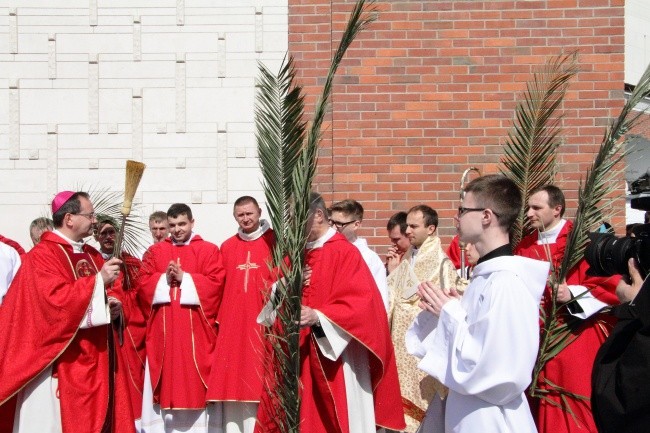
(60, 369)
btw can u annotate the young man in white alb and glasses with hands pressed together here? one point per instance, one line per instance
(483, 346)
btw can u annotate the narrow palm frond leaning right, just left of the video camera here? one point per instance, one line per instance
(592, 194)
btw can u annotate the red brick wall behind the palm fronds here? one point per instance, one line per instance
(430, 89)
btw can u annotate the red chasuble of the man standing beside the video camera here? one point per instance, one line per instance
(571, 368)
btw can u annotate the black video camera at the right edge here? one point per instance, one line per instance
(608, 254)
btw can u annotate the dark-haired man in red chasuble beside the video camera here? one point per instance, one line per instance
(584, 297)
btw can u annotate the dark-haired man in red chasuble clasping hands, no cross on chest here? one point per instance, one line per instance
(181, 282)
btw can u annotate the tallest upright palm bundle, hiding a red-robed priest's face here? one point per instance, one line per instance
(288, 153)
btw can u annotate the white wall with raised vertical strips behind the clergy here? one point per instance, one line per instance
(87, 84)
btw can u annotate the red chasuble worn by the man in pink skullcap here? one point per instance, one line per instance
(40, 319)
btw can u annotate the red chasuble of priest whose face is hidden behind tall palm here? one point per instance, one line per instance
(343, 289)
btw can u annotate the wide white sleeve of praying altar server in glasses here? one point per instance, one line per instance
(477, 358)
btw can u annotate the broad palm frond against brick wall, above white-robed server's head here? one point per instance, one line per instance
(533, 140)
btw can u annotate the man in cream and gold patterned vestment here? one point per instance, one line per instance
(423, 261)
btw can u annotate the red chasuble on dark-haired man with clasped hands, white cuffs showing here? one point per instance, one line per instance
(181, 338)
